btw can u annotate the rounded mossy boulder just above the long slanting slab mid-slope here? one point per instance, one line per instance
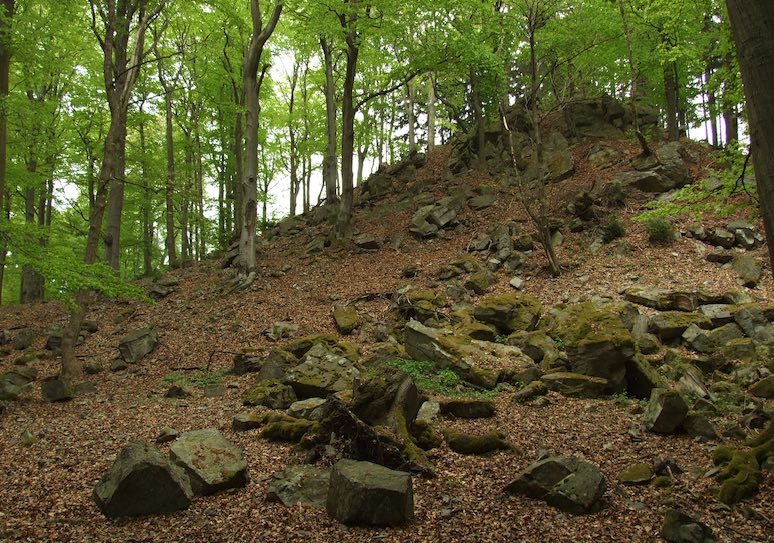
(510, 312)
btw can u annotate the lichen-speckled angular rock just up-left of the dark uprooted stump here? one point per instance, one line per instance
(321, 373)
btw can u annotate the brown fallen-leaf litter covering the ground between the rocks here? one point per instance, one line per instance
(45, 488)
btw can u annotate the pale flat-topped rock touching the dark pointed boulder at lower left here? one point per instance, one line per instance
(212, 462)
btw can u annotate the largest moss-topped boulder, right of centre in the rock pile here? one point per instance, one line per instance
(596, 341)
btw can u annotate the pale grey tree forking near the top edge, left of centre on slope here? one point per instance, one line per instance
(252, 85)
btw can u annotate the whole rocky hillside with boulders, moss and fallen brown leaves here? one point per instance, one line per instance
(429, 380)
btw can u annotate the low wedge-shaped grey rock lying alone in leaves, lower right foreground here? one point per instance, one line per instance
(567, 483)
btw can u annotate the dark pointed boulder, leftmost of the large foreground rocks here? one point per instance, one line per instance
(142, 482)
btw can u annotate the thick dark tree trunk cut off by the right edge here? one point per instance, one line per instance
(752, 23)
